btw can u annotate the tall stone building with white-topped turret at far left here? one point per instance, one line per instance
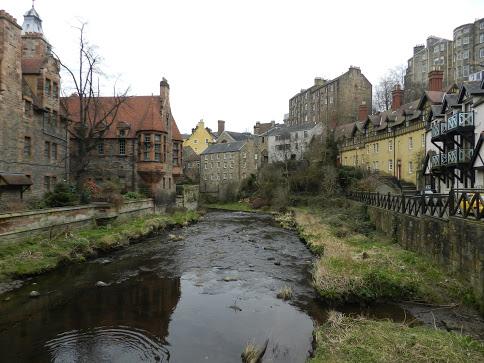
(33, 138)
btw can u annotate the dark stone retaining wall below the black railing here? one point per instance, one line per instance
(456, 243)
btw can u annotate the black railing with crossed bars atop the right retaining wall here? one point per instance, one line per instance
(461, 203)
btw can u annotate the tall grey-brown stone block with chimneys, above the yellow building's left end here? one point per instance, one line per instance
(331, 102)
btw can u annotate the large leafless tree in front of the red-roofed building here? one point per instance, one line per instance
(89, 114)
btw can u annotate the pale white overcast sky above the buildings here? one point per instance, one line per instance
(241, 61)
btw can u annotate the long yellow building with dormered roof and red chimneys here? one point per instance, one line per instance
(391, 142)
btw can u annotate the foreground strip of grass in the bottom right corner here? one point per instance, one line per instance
(345, 339)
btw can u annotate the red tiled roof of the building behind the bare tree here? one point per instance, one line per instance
(137, 113)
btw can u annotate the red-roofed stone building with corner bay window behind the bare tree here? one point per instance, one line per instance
(142, 149)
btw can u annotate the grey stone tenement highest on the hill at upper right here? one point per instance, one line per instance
(459, 59)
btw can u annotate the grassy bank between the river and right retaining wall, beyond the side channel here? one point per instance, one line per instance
(359, 264)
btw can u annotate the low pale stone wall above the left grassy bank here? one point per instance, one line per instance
(55, 221)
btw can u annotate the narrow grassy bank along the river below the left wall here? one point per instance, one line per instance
(37, 255)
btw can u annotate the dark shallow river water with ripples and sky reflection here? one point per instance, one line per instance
(200, 299)
